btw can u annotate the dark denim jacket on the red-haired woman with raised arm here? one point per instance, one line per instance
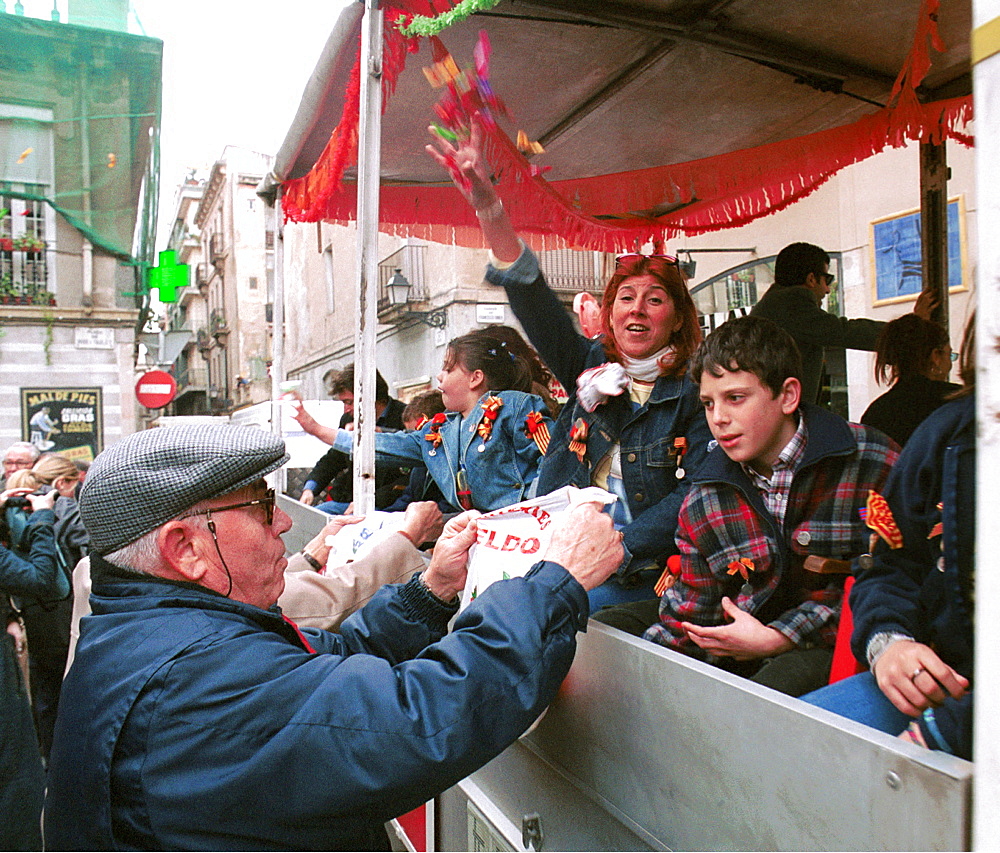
(650, 465)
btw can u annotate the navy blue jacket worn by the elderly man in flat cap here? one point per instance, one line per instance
(190, 721)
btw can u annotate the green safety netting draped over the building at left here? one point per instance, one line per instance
(79, 131)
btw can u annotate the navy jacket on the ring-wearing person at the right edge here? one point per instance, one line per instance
(925, 588)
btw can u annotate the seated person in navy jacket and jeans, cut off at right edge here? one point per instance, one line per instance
(913, 599)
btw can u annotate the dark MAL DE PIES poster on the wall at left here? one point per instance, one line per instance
(63, 420)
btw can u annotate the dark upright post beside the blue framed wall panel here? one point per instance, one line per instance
(934, 173)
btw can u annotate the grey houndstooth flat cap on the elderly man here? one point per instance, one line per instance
(150, 477)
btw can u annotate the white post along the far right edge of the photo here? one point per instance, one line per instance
(986, 89)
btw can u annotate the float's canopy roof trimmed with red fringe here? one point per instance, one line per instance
(658, 117)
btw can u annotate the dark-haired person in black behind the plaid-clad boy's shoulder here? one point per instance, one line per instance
(914, 356)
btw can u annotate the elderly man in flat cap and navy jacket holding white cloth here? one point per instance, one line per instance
(196, 717)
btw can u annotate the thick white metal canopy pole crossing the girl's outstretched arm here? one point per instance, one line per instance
(369, 166)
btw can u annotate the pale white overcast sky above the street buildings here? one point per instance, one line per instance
(233, 74)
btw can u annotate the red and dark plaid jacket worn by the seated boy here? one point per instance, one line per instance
(724, 519)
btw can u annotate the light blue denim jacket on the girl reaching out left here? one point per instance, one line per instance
(500, 469)
